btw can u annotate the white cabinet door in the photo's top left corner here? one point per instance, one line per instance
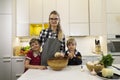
(5, 6)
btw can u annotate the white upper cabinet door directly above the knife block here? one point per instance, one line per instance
(97, 10)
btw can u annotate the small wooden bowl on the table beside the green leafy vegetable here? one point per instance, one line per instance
(97, 67)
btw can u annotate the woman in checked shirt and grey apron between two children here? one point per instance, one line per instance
(52, 39)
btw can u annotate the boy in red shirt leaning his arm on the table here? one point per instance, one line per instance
(33, 57)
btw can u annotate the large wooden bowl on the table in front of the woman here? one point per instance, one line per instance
(57, 63)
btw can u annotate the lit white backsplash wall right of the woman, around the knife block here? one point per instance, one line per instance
(86, 45)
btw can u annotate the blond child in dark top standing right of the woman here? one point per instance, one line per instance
(74, 56)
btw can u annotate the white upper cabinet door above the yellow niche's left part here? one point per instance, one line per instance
(36, 9)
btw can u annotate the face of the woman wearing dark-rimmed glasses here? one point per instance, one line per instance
(53, 20)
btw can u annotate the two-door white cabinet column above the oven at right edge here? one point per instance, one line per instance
(113, 17)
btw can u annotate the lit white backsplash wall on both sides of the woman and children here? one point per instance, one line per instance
(86, 44)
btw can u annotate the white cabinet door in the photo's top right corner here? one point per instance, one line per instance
(113, 6)
